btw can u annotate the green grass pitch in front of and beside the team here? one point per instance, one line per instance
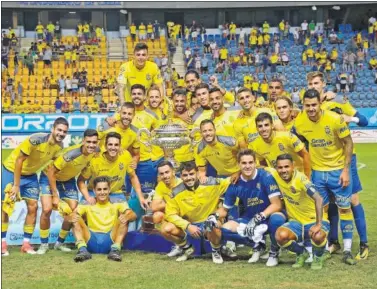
(147, 270)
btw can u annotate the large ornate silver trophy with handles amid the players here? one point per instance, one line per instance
(169, 137)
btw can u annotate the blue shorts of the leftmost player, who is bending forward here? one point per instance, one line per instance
(29, 185)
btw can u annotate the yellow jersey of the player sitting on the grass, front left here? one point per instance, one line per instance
(101, 218)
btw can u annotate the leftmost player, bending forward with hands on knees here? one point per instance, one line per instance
(20, 181)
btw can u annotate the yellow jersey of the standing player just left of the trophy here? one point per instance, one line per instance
(149, 120)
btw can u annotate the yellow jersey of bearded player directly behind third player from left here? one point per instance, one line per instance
(129, 135)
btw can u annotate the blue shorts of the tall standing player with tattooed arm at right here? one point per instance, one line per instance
(327, 183)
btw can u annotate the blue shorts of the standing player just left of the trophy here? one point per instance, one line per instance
(147, 174)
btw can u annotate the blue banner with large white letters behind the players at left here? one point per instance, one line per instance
(32, 123)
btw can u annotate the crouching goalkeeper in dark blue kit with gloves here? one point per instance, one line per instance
(258, 190)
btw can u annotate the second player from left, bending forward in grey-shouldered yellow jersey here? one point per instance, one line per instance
(58, 180)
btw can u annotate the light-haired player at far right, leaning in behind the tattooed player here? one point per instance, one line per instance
(329, 101)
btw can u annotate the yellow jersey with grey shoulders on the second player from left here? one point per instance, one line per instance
(71, 163)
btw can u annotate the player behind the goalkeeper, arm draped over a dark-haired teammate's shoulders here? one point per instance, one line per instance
(244, 126)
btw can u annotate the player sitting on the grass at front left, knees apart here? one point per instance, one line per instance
(105, 225)
